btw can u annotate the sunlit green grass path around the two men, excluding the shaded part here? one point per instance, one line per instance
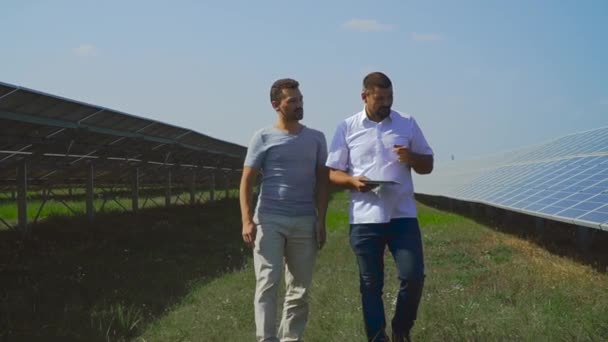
(481, 286)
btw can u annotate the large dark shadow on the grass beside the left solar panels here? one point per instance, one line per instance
(72, 279)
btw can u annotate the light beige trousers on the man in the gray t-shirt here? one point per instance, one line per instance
(290, 242)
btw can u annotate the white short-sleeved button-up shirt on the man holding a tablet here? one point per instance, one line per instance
(362, 147)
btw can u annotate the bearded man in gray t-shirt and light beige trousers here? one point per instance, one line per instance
(288, 225)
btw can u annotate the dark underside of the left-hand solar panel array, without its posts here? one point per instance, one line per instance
(58, 136)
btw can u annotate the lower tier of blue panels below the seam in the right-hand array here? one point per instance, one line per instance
(570, 188)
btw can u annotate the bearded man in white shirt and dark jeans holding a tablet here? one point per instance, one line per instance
(380, 144)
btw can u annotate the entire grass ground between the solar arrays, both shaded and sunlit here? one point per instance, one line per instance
(182, 275)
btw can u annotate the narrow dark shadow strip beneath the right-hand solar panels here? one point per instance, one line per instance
(556, 237)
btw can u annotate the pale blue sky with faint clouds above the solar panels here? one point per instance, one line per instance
(479, 76)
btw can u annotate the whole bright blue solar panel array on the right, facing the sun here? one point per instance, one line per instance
(565, 179)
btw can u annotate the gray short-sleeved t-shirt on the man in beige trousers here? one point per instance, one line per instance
(288, 163)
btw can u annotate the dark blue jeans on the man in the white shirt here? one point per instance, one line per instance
(368, 241)
